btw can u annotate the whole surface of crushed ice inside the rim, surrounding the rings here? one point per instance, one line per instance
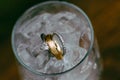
(34, 52)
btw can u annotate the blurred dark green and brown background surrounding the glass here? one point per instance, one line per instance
(104, 15)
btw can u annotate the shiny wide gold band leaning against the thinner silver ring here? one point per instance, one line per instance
(54, 47)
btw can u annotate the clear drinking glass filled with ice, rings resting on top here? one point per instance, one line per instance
(81, 59)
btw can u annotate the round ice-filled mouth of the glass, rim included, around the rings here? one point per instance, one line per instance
(48, 18)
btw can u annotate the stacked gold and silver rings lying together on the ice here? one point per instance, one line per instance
(56, 47)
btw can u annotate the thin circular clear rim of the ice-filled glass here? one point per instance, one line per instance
(52, 74)
